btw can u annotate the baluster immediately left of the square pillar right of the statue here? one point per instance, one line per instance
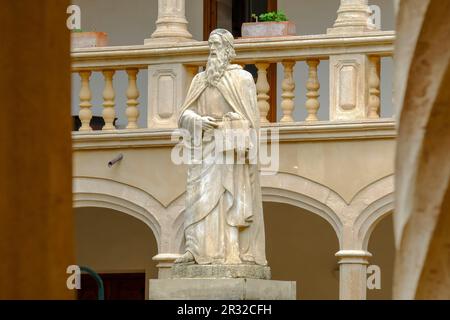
(313, 86)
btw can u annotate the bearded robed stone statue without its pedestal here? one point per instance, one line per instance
(223, 217)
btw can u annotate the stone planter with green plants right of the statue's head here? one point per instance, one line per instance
(270, 24)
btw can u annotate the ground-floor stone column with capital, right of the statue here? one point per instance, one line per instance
(353, 274)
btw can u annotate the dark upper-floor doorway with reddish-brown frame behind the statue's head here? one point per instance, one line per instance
(230, 14)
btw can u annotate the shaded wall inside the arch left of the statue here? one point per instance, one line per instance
(110, 241)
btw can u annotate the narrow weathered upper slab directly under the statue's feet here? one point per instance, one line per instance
(195, 271)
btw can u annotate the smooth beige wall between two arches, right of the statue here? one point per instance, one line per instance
(346, 167)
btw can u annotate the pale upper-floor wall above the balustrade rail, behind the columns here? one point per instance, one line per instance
(130, 22)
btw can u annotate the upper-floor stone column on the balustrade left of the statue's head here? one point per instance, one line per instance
(171, 24)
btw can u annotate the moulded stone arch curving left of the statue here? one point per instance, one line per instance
(104, 193)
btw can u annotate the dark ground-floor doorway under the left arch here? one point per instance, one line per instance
(118, 286)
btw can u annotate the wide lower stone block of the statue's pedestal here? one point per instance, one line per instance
(221, 289)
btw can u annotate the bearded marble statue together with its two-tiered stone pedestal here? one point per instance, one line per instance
(224, 255)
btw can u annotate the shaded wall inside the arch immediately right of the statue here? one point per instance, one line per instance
(301, 247)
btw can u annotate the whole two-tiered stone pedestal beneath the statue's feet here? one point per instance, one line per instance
(221, 282)
